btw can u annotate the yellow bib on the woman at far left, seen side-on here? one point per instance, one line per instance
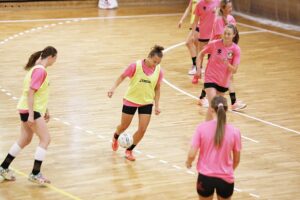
(40, 96)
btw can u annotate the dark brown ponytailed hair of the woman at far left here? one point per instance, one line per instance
(48, 51)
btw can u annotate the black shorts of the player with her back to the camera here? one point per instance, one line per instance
(206, 186)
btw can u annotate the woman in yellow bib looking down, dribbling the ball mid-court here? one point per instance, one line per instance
(144, 90)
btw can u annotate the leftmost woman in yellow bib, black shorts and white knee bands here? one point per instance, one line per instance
(34, 114)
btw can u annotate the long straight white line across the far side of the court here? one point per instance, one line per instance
(91, 18)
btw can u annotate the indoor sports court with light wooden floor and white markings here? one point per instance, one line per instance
(94, 47)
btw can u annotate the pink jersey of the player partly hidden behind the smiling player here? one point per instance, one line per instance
(219, 26)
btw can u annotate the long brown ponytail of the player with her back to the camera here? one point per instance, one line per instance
(219, 104)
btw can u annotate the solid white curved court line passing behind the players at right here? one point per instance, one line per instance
(242, 114)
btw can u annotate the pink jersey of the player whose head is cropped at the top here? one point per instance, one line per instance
(207, 14)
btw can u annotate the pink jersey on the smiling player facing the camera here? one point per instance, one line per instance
(217, 70)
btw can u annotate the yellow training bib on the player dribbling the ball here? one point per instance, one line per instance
(141, 88)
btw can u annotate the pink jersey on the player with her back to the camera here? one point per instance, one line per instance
(213, 161)
